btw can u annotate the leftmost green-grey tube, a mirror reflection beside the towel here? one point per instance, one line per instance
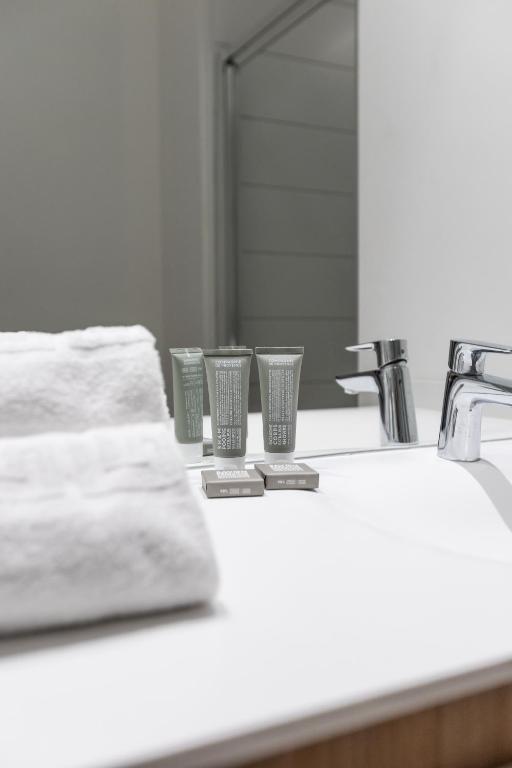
(187, 381)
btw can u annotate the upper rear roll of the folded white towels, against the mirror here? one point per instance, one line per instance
(79, 380)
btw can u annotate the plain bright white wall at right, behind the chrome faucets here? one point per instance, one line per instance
(435, 177)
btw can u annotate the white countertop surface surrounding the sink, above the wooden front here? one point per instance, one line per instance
(324, 622)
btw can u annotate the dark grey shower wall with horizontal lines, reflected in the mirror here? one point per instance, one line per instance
(296, 192)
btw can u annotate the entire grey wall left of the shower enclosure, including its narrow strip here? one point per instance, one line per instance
(107, 162)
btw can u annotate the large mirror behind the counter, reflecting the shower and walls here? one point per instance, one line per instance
(316, 173)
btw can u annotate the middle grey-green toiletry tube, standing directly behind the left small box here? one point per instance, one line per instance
(227, 373)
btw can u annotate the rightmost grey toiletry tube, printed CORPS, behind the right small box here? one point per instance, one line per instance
(279, 370)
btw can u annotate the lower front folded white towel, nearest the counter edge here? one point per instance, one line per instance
(98, 524)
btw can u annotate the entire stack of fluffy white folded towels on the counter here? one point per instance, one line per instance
(97, 518)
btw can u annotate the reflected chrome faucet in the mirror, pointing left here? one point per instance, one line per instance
(391, 381)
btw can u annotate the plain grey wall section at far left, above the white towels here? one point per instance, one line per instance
(79, 165)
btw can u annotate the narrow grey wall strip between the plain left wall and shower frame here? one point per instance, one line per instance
(186, 61)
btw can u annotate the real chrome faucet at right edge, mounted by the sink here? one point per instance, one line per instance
(467, 390)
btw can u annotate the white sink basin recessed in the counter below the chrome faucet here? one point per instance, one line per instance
(465, 508)
